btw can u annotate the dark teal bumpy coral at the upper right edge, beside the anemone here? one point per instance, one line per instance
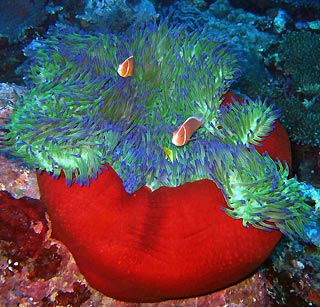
(295, 63)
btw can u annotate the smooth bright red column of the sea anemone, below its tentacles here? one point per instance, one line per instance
(152, 246)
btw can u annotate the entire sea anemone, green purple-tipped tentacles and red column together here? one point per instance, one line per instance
(109, 136)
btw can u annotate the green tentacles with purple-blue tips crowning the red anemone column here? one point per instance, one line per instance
(80, 115)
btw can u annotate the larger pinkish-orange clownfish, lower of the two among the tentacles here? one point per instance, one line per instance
(182, 135)
